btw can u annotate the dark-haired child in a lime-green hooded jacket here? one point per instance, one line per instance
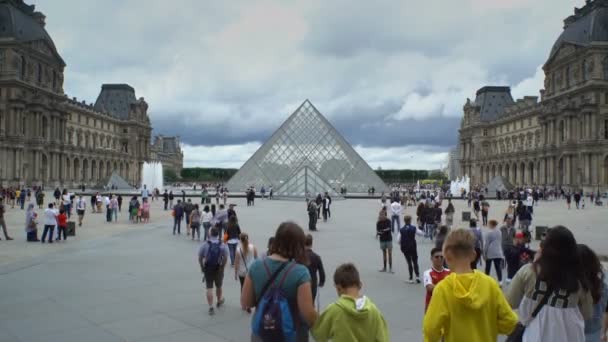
(352, 318)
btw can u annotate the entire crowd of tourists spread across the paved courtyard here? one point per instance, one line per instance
(557, 292)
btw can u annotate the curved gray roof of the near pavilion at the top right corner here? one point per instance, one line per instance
(589, 24)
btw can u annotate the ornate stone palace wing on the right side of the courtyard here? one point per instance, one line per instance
(560, 139)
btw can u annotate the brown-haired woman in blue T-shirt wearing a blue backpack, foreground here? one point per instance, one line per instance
(277, 281)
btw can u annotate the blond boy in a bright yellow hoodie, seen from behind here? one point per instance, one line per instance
(467, 305)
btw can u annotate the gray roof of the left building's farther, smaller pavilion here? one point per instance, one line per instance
(116, 99)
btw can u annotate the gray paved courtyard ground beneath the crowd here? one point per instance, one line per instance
(125, 282)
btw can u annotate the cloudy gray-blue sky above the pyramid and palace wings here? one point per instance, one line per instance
(392, 76)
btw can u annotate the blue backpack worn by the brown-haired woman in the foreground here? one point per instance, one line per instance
(273, 319)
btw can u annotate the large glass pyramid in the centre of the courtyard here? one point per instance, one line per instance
(306, 146)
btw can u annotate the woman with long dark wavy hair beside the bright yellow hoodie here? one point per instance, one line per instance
(551, 288)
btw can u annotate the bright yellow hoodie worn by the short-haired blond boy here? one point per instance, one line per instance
(468, 307)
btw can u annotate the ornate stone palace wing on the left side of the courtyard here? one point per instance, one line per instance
(46, 138)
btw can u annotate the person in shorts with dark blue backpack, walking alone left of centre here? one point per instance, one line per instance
(212, 257)
